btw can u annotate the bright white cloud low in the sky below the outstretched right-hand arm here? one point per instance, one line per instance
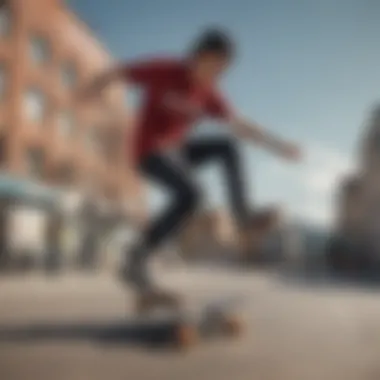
(307, 188)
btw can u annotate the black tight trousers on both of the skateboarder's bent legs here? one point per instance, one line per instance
(174, 176)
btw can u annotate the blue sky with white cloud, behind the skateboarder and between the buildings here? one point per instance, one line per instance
(308, 69)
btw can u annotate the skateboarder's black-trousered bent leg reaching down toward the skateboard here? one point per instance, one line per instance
(184, 198)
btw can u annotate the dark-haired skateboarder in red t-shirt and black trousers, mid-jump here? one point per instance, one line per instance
(178, 92)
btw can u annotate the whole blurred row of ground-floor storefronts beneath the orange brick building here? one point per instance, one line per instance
(42, 227)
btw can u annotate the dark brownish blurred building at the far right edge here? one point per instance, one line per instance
(358, 212)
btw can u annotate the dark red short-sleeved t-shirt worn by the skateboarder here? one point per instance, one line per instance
(171, 103)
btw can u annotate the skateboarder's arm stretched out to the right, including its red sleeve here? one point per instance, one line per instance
(248, 130)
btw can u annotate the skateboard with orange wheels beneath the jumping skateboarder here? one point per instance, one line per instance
(184, 328)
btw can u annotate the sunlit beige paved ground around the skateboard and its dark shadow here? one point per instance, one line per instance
(294, 333)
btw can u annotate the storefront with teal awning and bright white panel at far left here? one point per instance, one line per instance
(26, 212)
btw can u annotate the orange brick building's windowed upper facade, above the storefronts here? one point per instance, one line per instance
(46, 53)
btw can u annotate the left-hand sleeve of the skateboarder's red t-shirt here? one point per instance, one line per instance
(148, 71)
